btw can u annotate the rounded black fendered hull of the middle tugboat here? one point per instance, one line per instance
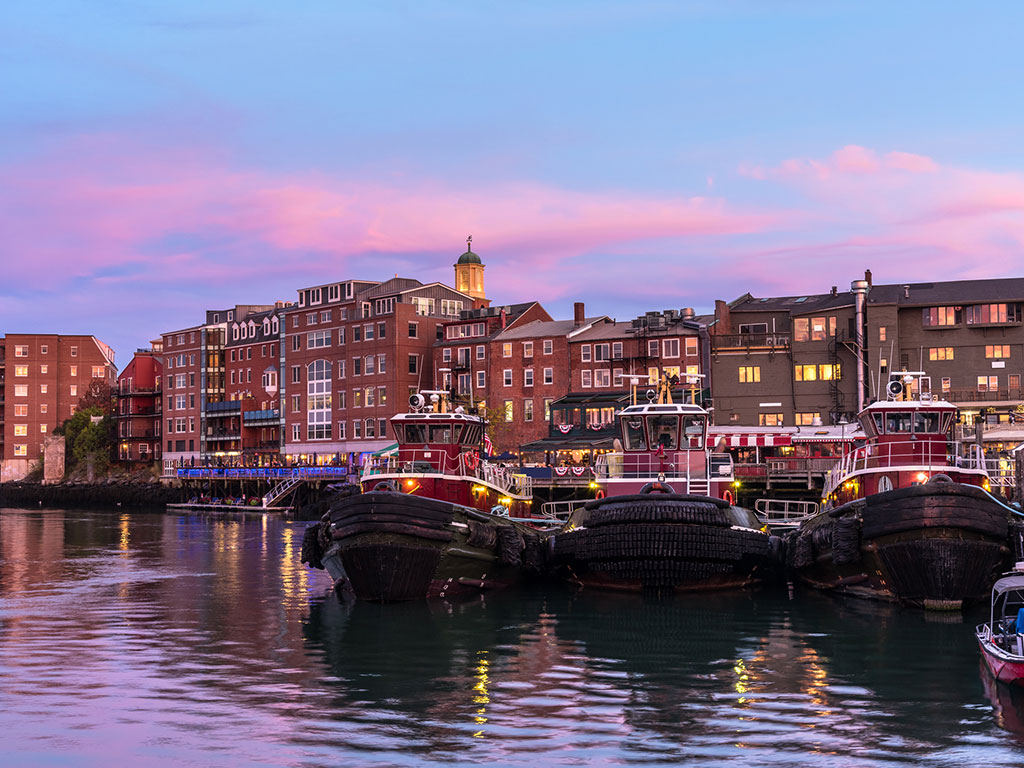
(663, 542)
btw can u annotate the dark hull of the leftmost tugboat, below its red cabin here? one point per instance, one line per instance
(391, 547)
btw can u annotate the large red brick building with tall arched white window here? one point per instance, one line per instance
(354, 354)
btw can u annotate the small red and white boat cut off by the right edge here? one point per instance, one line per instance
(1002, 639)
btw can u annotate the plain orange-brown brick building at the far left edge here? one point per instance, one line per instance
(46, 377)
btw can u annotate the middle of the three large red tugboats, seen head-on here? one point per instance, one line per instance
(666, 521)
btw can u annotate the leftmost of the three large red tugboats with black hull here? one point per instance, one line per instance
(433, 522)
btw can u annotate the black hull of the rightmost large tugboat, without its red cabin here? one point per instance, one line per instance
(936, 546)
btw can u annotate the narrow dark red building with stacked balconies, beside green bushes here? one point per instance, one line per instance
(140, 408)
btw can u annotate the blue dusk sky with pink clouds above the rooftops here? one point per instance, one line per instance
(160, 159)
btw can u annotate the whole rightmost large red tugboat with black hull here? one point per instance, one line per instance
(908, 517)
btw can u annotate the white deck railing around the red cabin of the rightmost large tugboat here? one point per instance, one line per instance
(934, 456)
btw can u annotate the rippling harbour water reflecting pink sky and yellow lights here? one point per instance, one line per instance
(168, 641)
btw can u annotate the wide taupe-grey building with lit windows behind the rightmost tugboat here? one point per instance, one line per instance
(794, 361)
